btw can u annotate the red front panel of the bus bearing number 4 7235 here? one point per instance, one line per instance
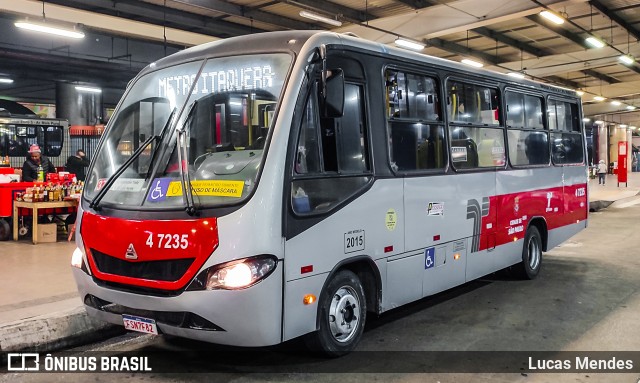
(138, 241)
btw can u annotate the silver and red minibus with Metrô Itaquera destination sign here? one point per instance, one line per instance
(261, 188)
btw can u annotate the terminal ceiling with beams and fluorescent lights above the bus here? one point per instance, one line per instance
(122, 36)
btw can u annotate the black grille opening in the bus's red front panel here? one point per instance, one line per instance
(167, 270)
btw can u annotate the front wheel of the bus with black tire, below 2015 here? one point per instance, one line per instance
(342, 313)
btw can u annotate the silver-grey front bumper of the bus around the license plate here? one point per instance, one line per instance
(248, 317)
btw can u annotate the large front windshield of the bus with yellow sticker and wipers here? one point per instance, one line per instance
(225, 114)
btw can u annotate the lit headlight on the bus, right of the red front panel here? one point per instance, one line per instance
(236, 274)
